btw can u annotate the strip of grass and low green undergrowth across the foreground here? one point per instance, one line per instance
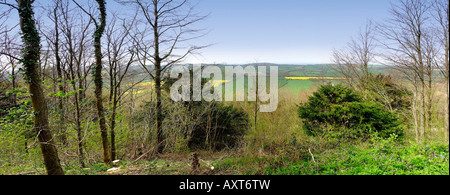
(348, 159)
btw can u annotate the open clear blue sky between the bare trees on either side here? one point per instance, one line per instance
(282, 31)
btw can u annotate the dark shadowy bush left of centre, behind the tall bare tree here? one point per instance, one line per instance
(197, 125)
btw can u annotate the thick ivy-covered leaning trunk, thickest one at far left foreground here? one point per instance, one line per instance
(31, 52)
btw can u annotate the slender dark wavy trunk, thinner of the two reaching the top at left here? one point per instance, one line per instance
(99, 82)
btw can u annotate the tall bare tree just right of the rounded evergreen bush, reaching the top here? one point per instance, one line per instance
(409, 46)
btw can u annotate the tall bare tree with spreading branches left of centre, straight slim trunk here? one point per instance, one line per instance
(163, 42)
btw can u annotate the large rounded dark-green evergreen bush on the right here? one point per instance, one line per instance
(339, 112)
